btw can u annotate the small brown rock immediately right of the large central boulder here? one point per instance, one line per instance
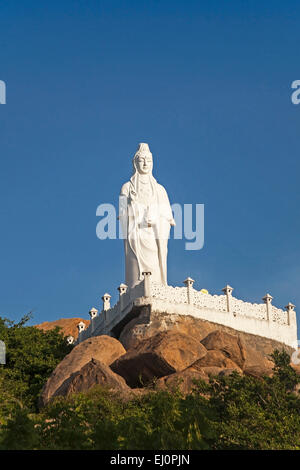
(230, 345)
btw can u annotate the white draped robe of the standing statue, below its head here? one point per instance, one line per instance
(145, 216)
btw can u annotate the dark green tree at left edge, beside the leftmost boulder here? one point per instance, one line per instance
(31, 356)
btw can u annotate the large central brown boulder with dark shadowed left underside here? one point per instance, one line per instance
(160, 355)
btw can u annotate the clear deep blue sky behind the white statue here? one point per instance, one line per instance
(206, 83)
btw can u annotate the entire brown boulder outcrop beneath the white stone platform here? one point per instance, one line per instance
(168, 351)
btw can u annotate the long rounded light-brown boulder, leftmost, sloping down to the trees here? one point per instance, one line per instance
(103, 348)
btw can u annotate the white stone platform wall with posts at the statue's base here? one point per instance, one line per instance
(259, 319)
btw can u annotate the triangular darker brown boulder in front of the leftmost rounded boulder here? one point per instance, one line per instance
(91, 374)
